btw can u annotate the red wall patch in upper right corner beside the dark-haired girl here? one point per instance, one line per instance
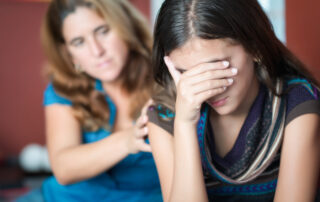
(303, 32)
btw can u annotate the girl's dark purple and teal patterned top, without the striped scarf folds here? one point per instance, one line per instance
(300, 97)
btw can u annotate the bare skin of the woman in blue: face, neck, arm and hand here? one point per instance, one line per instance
(102, 54)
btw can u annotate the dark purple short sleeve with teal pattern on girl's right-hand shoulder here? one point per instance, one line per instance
(302, 97)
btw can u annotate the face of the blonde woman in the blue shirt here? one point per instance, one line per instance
(94, 45)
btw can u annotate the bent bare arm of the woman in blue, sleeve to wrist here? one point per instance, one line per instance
(72, 161)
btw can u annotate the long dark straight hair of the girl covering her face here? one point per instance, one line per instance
(241, 20)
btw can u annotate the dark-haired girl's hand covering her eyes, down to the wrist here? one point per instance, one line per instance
(197, 85)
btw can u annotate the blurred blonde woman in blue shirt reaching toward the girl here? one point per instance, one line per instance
(99, 63)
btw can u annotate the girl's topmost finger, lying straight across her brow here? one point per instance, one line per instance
(208, 66)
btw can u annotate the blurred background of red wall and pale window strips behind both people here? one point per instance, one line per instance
(22, 81)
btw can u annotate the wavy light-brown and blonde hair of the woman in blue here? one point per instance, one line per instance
(89, 105)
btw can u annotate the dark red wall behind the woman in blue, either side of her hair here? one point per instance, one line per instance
(21, 80)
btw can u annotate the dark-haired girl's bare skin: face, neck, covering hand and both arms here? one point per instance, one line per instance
(208, 67)
